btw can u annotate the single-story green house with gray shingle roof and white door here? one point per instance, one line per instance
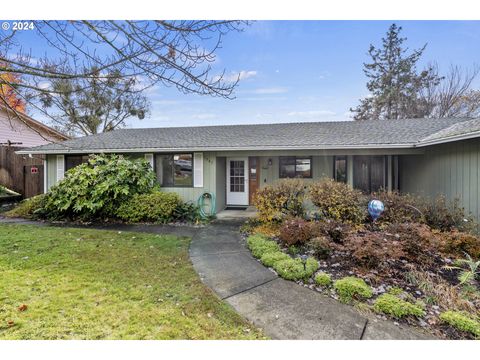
(423, 156)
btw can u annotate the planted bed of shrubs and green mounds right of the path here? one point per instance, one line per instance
(419, 260)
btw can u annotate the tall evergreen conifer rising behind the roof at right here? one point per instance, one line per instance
(394, 84)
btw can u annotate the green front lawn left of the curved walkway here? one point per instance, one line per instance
(93, 284)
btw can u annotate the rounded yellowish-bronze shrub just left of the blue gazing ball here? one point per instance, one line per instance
(338, 201)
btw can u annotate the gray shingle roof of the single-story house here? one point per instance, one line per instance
(313, 135)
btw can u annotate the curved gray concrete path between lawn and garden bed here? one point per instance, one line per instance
(284, 309)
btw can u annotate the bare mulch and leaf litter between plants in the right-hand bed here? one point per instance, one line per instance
(395, 273)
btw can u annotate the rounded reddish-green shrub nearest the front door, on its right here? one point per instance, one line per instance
(281, 199)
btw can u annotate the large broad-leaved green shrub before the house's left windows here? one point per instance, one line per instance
(96, 189)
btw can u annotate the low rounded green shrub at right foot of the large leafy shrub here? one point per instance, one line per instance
(155, 207)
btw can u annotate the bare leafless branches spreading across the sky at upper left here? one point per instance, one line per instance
(171, 53)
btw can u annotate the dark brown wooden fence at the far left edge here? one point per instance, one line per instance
(21, 173)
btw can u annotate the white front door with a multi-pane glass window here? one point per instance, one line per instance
(237, 181)
